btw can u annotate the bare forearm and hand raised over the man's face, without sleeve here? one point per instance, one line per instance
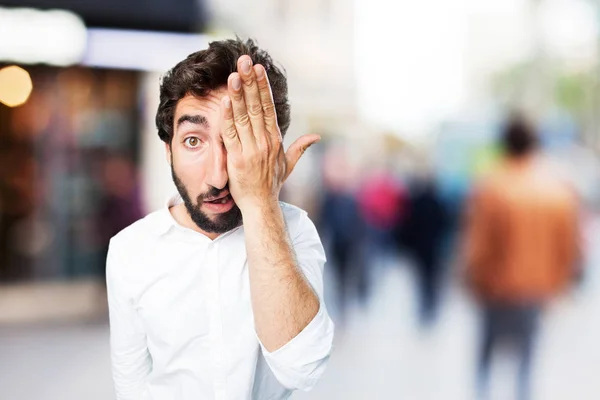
(283, 301)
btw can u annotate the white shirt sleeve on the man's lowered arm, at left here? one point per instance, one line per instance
(131, 361)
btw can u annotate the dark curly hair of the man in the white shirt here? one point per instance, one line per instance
(208, 70)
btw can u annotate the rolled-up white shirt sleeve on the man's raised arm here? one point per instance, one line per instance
(300, 363)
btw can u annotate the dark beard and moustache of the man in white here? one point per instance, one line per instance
(221, 223)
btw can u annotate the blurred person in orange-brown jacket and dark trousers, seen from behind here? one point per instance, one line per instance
(521, 247)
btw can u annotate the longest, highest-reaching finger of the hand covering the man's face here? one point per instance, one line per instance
(252, 99)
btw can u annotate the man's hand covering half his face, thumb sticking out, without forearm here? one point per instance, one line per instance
(256, 162)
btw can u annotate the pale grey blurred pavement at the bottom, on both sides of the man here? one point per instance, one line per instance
(381, 354)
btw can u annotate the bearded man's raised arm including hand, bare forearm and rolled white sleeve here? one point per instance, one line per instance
(291, 323)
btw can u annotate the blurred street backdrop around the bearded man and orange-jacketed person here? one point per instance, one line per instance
(410, 97)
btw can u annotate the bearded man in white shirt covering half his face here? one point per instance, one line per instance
(202, 307)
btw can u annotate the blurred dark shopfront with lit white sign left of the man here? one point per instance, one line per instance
(71, 155)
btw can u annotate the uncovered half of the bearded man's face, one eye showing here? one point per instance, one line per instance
(199, 163)
